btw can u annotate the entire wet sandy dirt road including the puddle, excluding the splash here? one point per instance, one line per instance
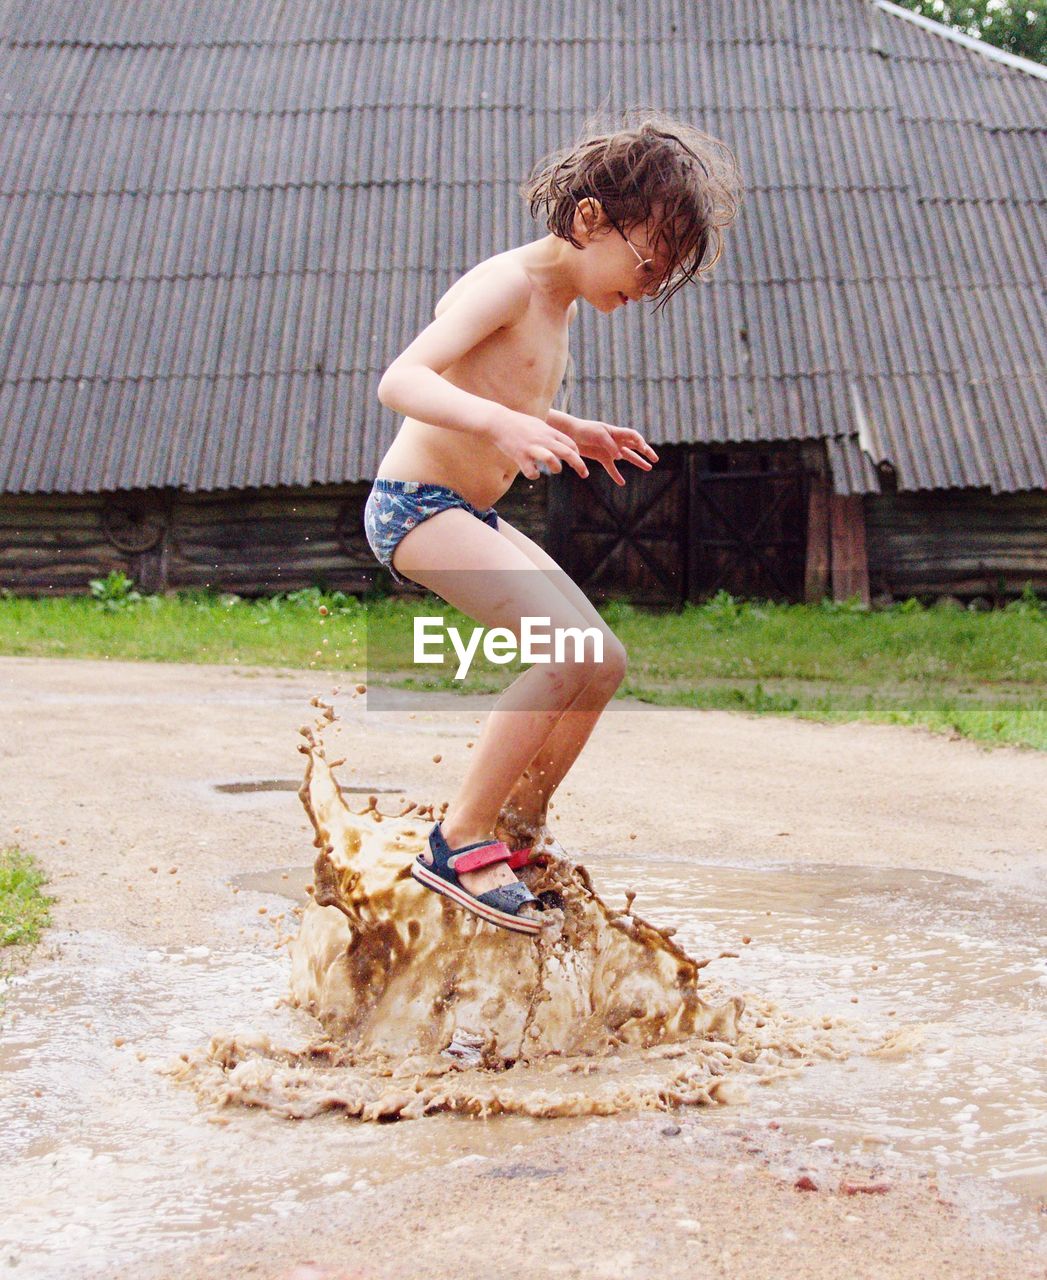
(880, 875)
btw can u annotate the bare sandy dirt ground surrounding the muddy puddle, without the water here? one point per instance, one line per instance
(108, 774)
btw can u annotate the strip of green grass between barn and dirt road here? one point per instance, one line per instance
(980, 675)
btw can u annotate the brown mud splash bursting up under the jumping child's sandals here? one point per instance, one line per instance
(426, 1009)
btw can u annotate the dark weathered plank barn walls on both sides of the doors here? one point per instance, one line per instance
(253, 542)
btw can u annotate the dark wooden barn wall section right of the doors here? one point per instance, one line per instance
(962, 543)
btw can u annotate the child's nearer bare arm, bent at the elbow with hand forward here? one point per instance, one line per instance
(413, 385)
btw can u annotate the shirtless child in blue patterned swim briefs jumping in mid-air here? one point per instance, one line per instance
(633, 214)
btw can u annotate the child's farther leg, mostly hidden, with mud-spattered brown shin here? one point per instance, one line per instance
(527, 806)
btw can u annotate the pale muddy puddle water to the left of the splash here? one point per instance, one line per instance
(106, 1160)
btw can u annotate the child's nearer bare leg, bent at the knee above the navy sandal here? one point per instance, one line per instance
(490, 579)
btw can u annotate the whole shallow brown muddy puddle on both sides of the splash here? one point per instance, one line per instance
(104, 1158)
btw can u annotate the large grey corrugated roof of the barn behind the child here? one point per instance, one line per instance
(222, 220)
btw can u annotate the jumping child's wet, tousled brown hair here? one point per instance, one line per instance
(651, 170)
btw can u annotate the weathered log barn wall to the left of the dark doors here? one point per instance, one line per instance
(250, 542)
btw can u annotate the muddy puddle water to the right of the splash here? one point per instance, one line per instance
(947, 973)
